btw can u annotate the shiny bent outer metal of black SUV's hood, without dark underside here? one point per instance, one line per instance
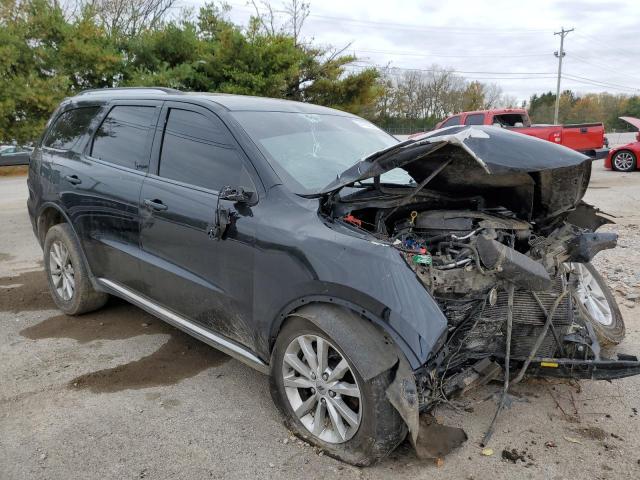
(496, 149)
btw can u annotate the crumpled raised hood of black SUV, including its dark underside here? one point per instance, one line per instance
(534, 178)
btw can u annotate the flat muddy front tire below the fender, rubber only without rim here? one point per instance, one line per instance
(381, 428)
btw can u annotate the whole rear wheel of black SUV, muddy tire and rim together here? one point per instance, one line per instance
(67, 274)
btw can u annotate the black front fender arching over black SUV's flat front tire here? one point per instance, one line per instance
(366, 276)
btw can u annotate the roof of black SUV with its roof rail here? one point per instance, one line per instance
(228, 101)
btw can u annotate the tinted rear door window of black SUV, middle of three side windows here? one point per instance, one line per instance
(122, 137)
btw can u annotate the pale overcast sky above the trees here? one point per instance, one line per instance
(511, 40)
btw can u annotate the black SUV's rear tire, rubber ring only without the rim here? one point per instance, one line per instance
(84, 298)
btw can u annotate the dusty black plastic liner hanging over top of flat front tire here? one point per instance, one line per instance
(369, 346)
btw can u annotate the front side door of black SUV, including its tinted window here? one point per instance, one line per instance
(185, 268)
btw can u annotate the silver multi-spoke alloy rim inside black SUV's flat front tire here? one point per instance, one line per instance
(322, 389)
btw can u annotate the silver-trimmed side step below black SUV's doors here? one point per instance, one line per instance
(217, 341)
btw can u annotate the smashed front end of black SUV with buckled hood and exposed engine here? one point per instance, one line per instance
(495, 229)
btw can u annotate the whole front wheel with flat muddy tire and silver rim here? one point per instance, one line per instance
(376, 428)
